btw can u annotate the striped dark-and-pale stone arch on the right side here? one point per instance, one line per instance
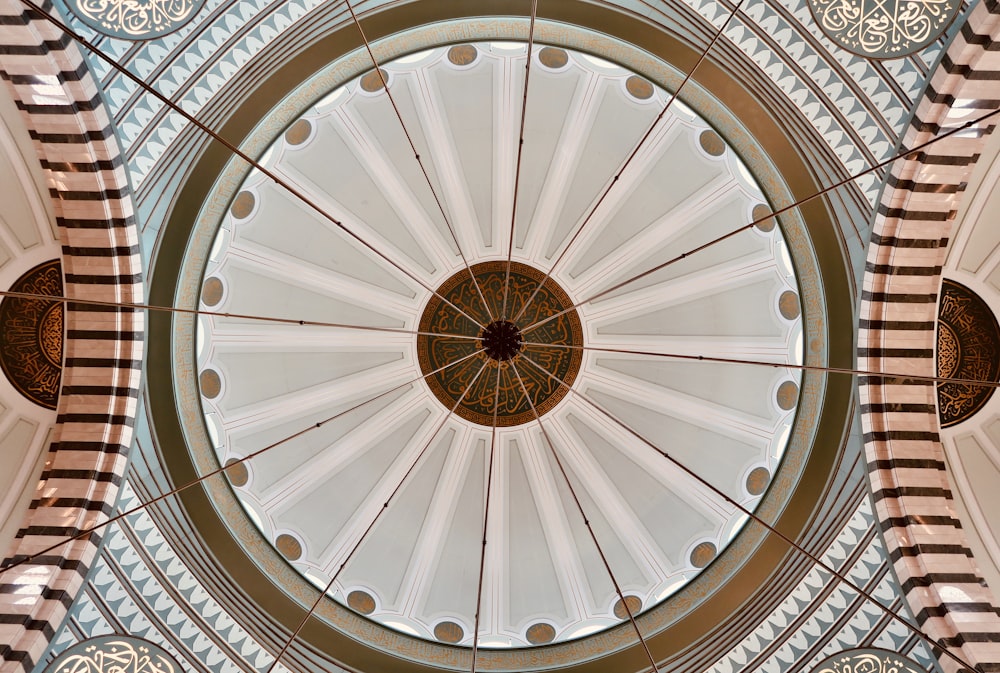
(906, 462)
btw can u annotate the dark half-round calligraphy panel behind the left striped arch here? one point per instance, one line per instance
(31, 335)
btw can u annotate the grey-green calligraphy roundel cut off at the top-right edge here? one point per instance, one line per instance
(884, 28)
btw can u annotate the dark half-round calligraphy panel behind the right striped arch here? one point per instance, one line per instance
(968, 347)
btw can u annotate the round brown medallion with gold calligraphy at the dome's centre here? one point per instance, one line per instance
(501, 356)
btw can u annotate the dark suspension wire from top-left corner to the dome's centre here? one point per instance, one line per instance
(291, 189)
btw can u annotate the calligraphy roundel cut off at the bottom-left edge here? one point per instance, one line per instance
(114, 654)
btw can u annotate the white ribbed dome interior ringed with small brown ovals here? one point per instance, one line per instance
(320, 496)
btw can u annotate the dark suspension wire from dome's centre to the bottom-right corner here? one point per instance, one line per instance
(747, 512)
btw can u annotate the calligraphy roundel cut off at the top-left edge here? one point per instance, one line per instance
(135, 19)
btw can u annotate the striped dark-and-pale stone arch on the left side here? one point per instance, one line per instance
(103, 349)
